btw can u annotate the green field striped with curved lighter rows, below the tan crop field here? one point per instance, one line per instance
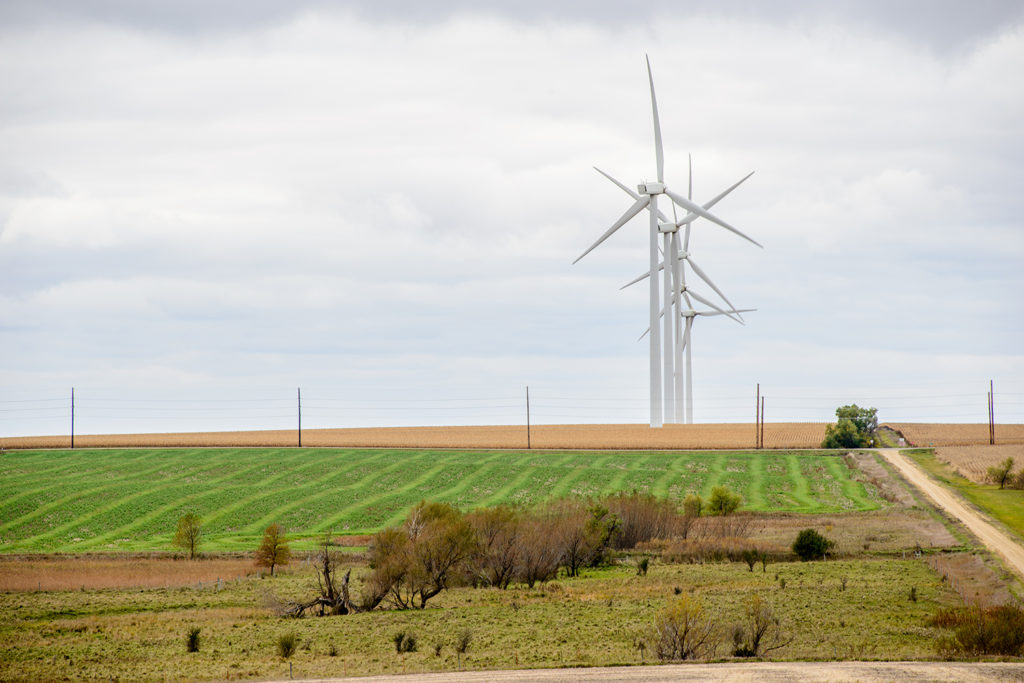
(131, 500)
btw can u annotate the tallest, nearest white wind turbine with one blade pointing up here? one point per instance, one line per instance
(647, 198)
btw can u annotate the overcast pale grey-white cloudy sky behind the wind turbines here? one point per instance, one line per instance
(206, 206)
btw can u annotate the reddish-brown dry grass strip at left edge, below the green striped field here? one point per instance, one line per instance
(77, 573)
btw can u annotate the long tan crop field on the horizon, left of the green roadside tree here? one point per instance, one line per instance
(717, 437)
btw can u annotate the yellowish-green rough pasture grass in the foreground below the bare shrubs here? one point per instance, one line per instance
(594, 621)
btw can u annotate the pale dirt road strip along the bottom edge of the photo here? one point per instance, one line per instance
(762, 671)
